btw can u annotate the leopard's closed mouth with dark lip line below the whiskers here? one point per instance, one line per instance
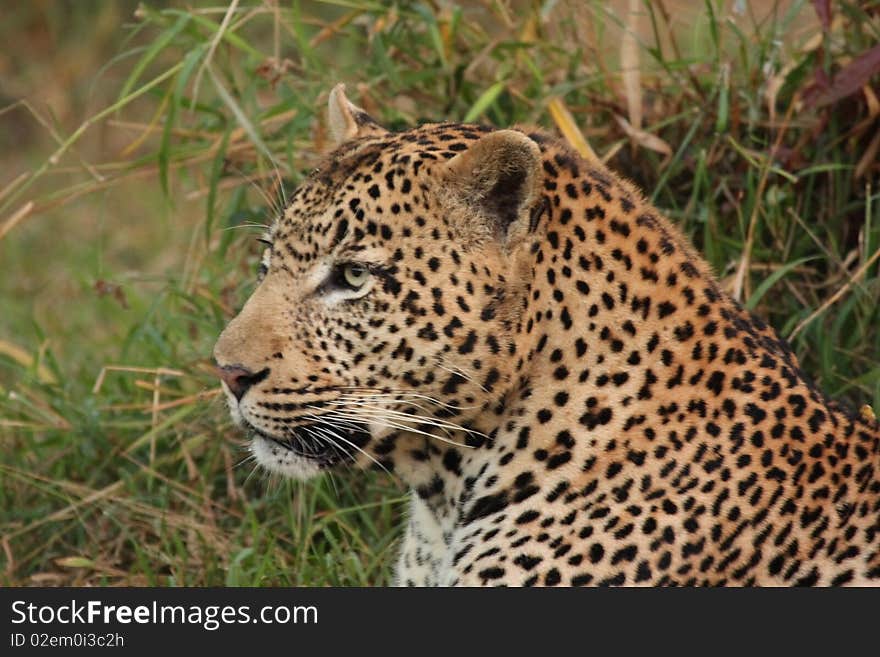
(316, 443)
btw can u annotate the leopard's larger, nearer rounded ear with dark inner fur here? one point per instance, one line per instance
(499, 179)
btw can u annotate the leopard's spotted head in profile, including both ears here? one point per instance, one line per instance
(384, 311)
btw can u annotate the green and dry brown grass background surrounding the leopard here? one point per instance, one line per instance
(127, 236)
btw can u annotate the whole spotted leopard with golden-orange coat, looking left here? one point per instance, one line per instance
(544, 360)
